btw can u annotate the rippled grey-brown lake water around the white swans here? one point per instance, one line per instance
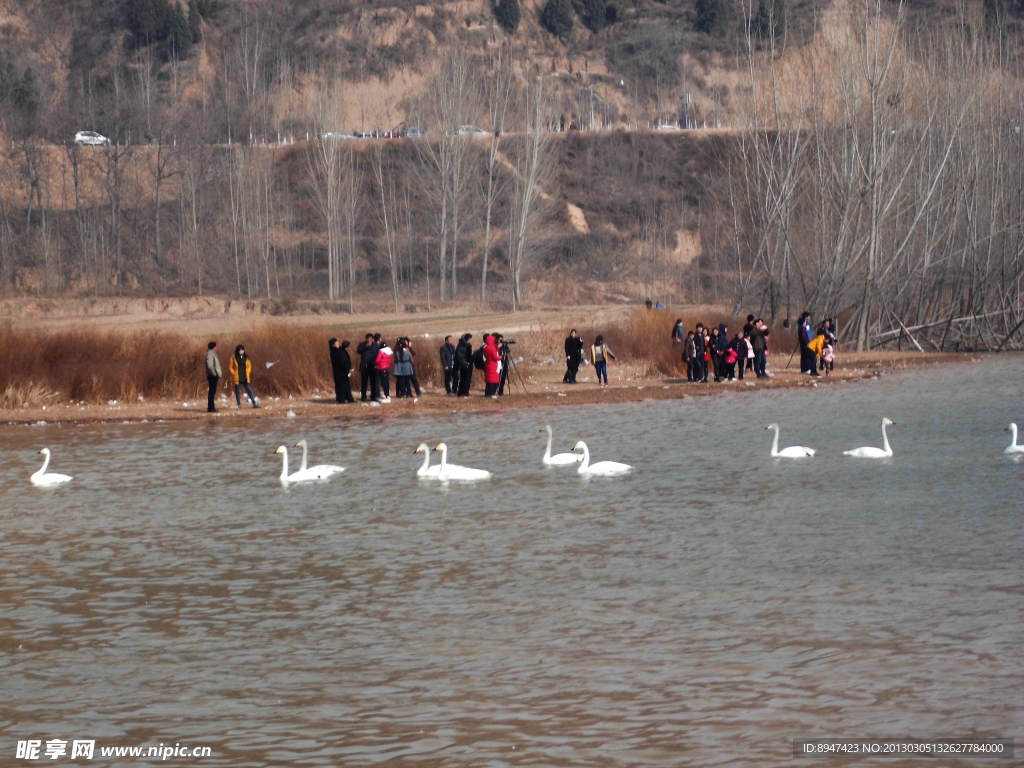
(706, 610)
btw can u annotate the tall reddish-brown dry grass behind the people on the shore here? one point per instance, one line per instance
(46, 368)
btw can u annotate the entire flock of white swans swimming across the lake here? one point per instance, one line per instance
(446, 472)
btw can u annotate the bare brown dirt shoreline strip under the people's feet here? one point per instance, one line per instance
(547, 390)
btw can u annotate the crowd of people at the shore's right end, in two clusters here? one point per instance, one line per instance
(710, 354)
